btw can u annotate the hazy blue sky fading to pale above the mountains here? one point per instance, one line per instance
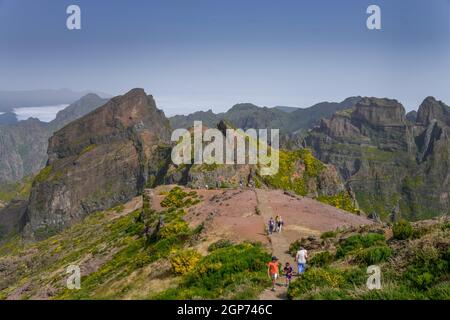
(200, 54)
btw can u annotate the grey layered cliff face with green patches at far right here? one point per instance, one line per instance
(395, 167)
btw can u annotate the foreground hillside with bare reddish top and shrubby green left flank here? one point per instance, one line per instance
(126, 253)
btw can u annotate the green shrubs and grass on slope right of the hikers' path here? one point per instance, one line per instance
(417, 267)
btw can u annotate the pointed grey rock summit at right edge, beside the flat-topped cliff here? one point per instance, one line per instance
(431, 109)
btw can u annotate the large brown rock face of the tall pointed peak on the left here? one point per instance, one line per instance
(98, 161)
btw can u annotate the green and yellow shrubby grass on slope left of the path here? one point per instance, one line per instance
(137, 255)
